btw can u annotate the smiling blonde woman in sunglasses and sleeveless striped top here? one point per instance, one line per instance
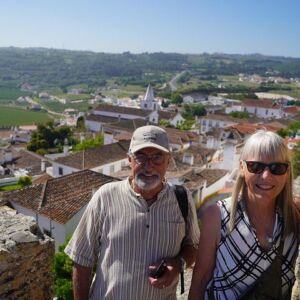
(242, 237)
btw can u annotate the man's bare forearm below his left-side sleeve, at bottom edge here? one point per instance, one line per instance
(81, 282)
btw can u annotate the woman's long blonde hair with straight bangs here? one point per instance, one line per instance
(268, 144)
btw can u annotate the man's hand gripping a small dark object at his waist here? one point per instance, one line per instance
(168, 277)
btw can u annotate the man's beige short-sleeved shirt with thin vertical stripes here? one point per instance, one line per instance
(123, 236)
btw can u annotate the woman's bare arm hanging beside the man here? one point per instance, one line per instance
(210, 234)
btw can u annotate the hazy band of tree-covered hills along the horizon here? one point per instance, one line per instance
(64, 68)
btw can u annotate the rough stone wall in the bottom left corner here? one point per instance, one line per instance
(26, 258)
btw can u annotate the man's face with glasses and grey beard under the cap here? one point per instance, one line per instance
(149, 166)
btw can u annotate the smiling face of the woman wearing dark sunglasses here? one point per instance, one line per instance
(265, 185)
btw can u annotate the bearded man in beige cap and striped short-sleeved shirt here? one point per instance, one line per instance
(130, 226)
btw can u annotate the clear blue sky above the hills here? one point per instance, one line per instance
(270, 27)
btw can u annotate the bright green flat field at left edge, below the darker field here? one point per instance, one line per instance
(10, 116)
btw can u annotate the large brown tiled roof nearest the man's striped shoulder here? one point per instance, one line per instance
(59, 198)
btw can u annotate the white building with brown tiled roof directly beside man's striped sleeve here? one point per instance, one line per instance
(58, 204)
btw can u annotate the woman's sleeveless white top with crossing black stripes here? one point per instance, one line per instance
(240, 260)
